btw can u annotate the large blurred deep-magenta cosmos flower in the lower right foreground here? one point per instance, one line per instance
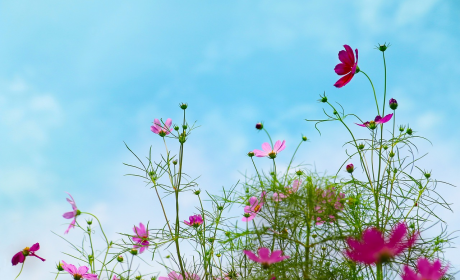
(373, 248)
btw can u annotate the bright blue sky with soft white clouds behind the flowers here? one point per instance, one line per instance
(79, 78)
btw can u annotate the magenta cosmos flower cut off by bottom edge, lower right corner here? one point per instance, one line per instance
(426, 271)
